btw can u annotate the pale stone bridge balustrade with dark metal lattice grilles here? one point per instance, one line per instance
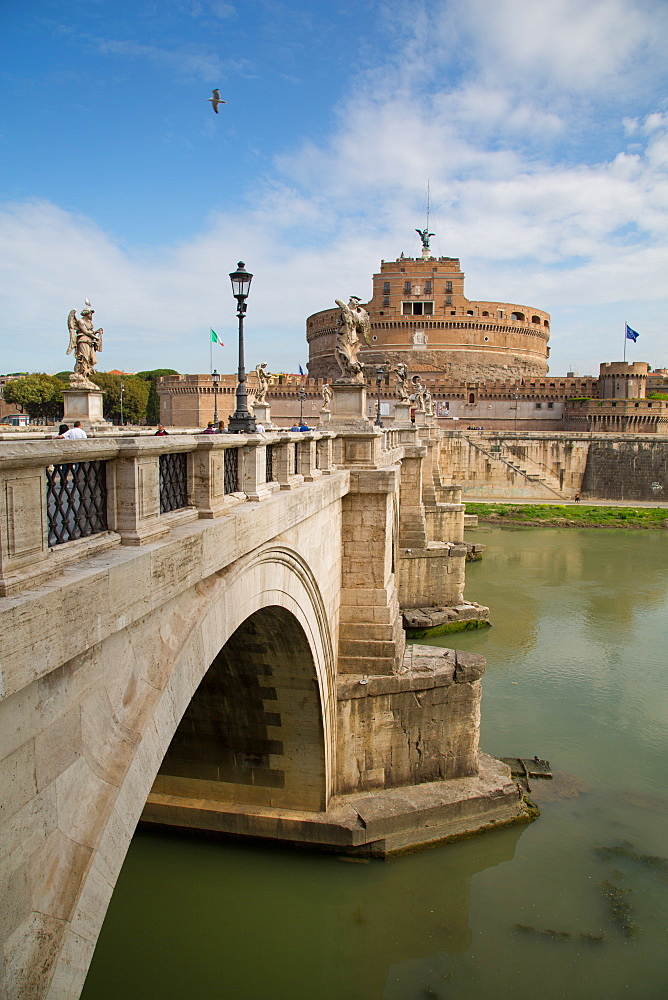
(61, 501)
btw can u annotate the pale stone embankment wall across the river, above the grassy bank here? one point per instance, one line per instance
(557, 465)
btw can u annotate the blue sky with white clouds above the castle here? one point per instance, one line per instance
(541, 127)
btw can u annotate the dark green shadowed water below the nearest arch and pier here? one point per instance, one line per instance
(210, 919)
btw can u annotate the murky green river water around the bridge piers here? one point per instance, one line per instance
(571, 907)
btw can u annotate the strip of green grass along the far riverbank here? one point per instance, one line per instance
(571, 516)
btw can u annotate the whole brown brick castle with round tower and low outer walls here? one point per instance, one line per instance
(485, 364)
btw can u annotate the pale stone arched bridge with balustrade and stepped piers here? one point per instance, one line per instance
(205, 631)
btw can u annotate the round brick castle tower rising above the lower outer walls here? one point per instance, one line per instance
(420, 317)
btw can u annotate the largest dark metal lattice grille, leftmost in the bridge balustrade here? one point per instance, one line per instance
(76, 500)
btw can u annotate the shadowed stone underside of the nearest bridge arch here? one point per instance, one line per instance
(253, 730)
